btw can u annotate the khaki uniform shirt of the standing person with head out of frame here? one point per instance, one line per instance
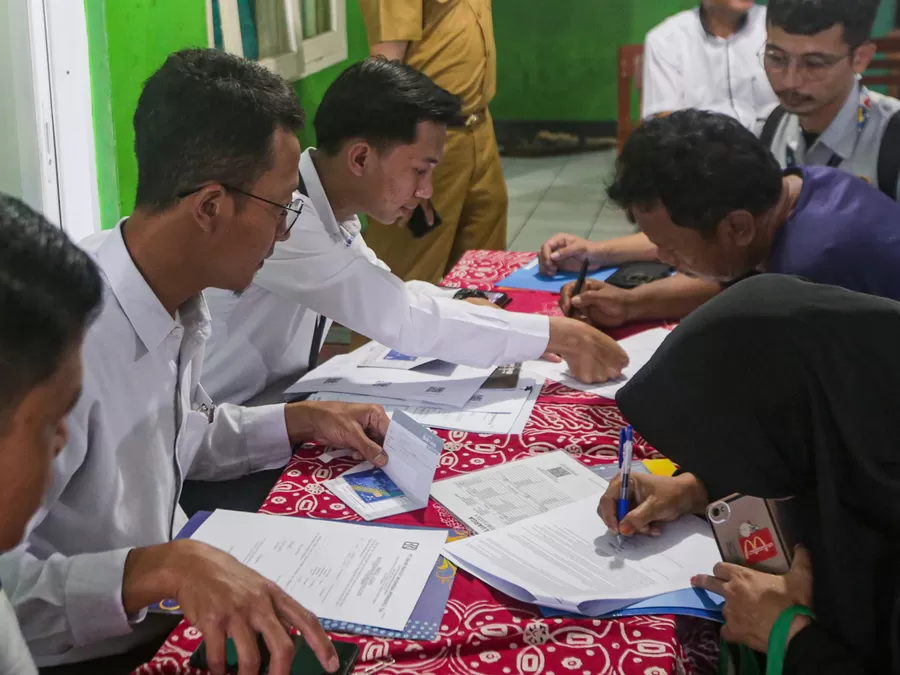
(451, 41)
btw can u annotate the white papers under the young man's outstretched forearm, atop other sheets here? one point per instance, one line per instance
(435, 382)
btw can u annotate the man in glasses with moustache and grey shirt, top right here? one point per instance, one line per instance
(826, 116)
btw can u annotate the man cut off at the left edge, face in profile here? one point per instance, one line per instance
(49, 292)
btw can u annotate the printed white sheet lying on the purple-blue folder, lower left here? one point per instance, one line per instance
(340, 571)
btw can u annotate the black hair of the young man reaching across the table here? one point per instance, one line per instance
(381, 102)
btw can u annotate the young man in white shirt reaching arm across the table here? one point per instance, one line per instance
(381, 128)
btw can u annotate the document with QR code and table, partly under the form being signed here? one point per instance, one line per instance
(502, 495)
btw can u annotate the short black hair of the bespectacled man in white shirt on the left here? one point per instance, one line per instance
(207, 116)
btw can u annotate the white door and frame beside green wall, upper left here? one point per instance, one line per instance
(47, 152)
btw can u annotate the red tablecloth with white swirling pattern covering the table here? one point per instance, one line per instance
(485, 632)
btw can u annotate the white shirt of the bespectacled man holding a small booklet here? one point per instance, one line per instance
(143, 424)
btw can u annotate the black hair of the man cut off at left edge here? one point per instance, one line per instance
(49, 292)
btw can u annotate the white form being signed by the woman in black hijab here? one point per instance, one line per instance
(566, 559)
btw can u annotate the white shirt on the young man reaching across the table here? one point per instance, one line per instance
(325, 267)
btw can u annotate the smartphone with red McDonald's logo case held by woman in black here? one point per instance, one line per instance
(754, 532)
